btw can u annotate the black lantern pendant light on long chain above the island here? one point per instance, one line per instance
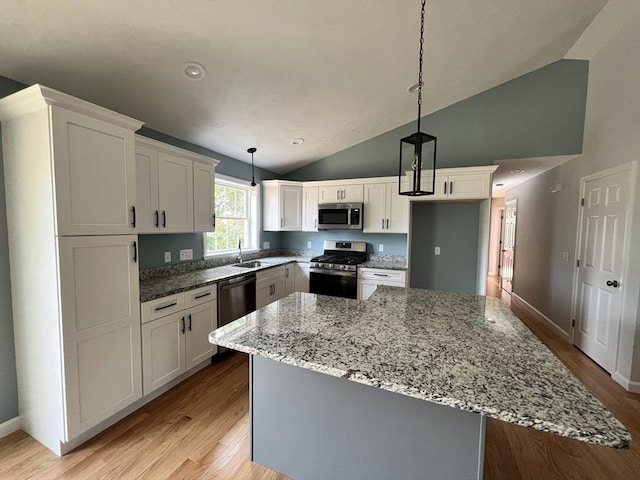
(418, 150)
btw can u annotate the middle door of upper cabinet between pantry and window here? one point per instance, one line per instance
(175, 191)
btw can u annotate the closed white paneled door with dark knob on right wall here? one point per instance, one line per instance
(599, 288)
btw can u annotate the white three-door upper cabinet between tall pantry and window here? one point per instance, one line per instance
(175, 187)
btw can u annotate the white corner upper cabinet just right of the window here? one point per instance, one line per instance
(282, 206)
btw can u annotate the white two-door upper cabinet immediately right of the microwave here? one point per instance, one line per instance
(385, 211)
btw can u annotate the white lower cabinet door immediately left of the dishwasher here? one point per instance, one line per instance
(201, 321)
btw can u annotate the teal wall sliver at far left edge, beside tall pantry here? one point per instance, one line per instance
(8, 382)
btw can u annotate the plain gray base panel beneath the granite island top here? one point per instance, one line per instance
(308, 425)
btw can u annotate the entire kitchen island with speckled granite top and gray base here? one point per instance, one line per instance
(399, 385)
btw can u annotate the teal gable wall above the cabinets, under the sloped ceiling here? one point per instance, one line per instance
(538, 114)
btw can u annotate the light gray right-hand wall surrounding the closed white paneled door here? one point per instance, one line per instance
(547, 223)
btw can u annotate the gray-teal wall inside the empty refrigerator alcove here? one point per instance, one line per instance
(454, 228)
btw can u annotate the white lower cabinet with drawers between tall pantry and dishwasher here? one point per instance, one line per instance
(175, 333)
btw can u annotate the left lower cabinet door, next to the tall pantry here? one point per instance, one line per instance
(163, 351)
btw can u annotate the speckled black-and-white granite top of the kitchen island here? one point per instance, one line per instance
(463, 351)
